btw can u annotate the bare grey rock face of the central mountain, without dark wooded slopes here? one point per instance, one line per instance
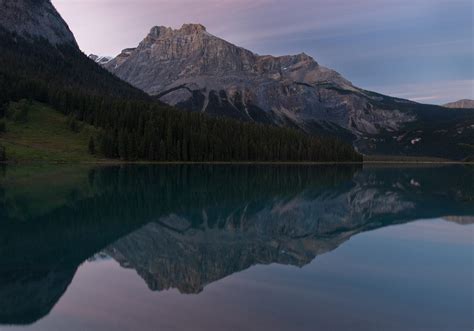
(192, 69)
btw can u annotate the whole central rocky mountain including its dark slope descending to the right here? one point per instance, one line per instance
(192, 69)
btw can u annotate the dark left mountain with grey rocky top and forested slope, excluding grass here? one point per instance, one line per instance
(41, 62)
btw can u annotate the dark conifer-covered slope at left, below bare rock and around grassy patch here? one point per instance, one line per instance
(132, 125)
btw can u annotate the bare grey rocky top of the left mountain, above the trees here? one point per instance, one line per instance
(33, 19)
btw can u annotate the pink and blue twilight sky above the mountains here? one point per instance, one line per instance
(421, 50)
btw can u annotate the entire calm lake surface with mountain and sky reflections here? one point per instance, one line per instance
(236, 248)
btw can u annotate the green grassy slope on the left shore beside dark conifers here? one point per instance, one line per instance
(46, 135)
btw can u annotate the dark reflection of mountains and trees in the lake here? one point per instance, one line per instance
(187, 226)
